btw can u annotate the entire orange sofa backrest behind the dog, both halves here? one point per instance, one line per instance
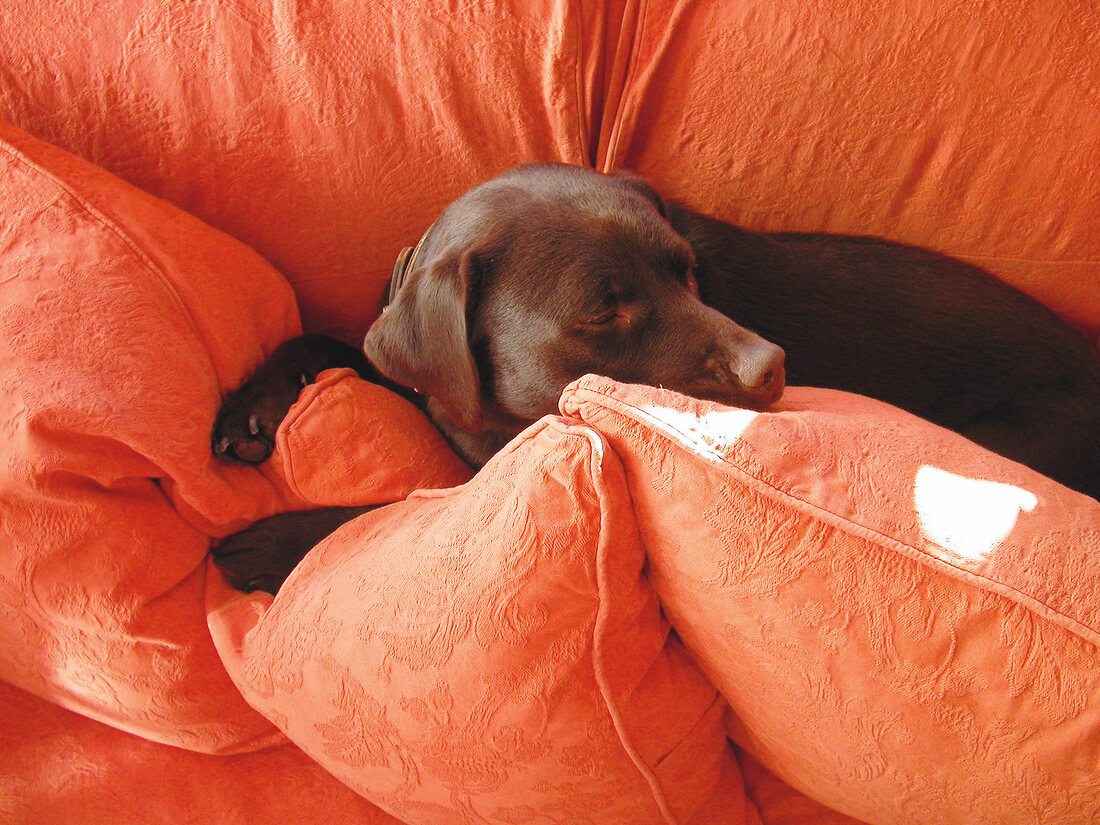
(331, 136)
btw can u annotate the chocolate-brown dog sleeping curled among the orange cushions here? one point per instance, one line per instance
(549, 272)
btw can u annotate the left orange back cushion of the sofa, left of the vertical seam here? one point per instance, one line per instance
(325, 136)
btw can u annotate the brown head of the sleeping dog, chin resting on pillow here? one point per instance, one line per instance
(549, 272)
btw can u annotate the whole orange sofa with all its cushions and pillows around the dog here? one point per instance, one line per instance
(647, 609)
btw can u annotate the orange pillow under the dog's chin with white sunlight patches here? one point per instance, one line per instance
(906, 625)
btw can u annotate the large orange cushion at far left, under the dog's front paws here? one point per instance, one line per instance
(123, 324)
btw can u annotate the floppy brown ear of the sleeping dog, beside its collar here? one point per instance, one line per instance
(422, 339)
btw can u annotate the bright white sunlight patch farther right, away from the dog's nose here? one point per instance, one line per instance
(967, 516)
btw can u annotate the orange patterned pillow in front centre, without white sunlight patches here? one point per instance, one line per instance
(492, 652)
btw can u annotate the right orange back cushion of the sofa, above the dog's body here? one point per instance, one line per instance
(969, 128)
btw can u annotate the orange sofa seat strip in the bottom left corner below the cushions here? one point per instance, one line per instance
(76, 772)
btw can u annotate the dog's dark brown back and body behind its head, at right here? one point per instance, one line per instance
(926, 333)
